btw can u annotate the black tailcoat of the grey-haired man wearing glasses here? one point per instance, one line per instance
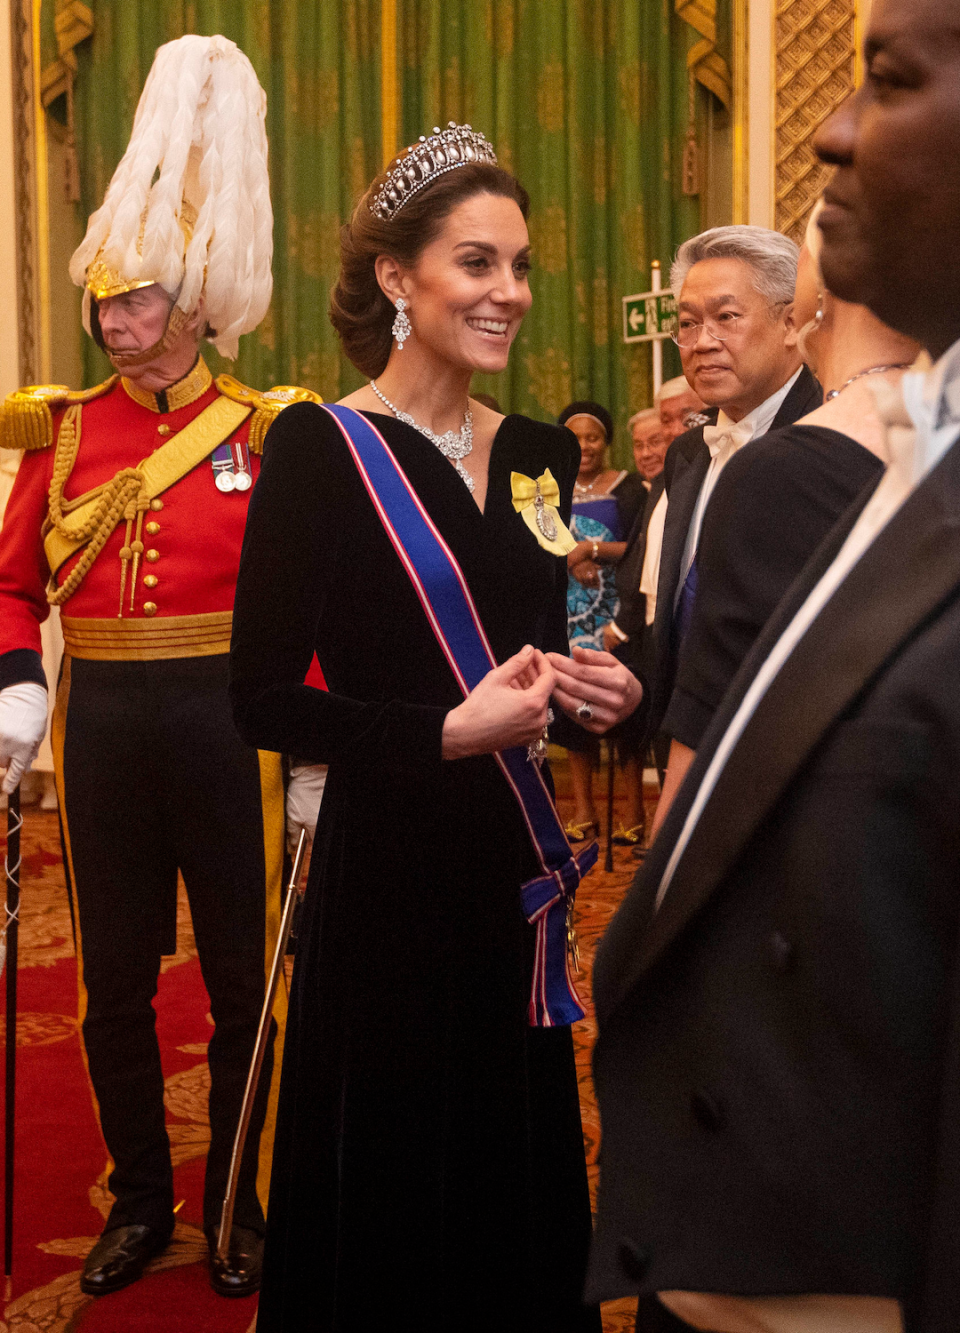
(685, 471)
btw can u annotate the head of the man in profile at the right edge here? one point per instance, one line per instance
(893, 218)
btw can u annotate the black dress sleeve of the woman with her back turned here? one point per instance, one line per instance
(773, 506)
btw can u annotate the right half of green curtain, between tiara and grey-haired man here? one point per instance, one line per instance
(587, 103)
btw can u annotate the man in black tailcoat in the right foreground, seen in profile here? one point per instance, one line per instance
(779, 995)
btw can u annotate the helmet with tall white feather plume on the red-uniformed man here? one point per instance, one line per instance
(206, 225)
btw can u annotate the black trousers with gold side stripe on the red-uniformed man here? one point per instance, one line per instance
(154, 780)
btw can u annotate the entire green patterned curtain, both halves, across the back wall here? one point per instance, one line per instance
(586, 101)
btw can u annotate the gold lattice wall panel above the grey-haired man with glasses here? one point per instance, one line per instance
(815, 71)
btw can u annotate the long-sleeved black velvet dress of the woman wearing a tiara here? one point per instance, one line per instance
(429, 1164)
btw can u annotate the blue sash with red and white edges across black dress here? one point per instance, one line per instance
(446, 599)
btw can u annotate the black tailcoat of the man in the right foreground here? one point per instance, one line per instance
(779, 1056)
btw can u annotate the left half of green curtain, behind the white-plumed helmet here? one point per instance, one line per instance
(321, 67)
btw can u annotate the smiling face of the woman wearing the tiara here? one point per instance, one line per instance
(469, 290)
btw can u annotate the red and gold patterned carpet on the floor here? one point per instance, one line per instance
(61, 1163)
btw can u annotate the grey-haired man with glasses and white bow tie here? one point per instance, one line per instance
(739, 353)
